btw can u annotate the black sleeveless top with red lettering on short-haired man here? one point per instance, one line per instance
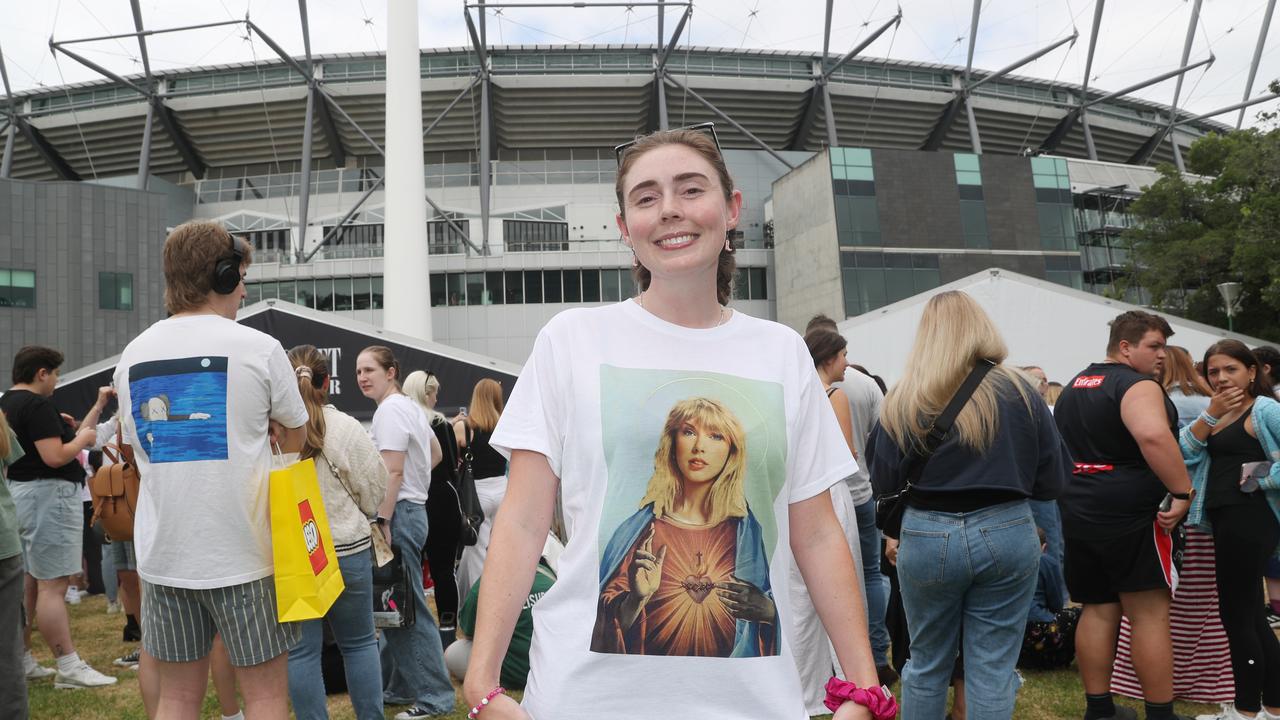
(1113, 491)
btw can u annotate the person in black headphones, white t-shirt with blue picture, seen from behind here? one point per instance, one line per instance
(204, 402)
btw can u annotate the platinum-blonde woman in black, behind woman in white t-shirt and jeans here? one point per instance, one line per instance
(444, 513)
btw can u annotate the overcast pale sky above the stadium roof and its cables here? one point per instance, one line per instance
(1140, 39)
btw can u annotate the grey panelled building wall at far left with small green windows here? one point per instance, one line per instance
(68, 233)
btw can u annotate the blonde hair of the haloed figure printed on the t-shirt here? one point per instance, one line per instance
(728, 498)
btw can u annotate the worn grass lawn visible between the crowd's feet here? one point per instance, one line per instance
(1046, 696)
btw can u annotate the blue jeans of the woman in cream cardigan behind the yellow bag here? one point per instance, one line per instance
(353, 623)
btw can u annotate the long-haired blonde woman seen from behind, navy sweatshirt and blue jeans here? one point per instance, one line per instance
(968, 553)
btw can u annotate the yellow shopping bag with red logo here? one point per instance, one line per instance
(308, 580)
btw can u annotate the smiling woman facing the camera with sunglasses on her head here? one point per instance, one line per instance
(587, 418)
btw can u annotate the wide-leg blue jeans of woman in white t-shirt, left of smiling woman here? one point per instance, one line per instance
(413, 658)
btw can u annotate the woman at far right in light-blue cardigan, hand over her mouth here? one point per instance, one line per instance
(1240, 432)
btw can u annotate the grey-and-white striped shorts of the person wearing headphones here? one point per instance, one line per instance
(179, 625)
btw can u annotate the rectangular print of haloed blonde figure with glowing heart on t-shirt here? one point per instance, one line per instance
(696, 463)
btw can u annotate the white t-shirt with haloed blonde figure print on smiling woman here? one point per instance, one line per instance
(596, 398)
